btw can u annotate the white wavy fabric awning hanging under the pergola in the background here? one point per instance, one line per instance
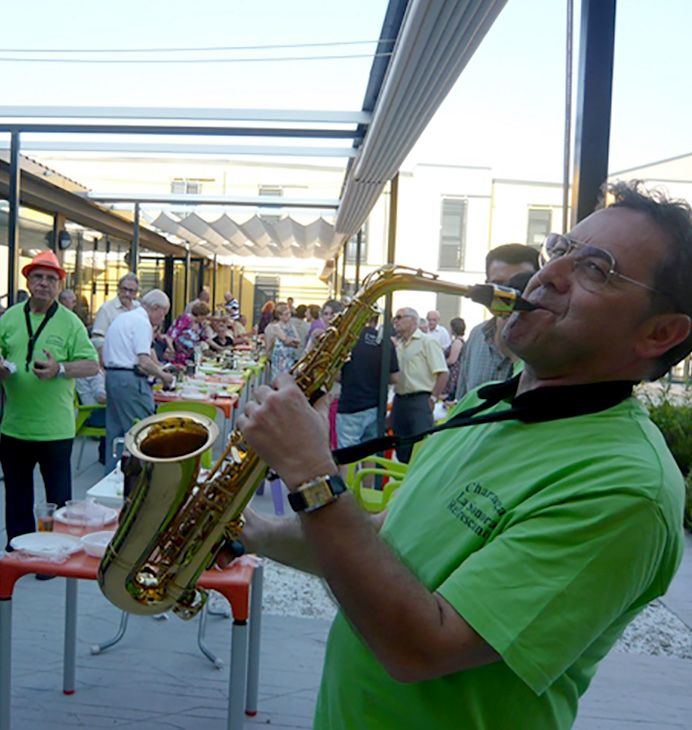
(260, 235)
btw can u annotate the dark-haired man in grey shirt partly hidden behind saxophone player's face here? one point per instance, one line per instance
(481, 359)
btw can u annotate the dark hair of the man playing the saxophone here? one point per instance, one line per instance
(672, 277)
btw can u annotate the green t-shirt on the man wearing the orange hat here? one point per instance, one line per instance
(41, 410)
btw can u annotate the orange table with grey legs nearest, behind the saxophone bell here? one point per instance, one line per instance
(240, 584)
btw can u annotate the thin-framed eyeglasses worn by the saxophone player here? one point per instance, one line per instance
(593, 266)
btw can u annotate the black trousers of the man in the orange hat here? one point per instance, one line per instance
(18, 459)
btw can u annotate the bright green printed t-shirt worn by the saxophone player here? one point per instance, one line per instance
(547, 539)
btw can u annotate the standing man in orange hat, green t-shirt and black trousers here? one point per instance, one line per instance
(44, 346)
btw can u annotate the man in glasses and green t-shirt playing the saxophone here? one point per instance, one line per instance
(517, 549)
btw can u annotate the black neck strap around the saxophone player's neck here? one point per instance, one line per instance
(534, 406)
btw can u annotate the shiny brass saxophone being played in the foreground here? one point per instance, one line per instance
(171, 528)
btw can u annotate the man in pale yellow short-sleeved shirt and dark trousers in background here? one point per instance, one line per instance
(423, 375)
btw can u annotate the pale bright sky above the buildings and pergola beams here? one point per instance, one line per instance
(506, 111)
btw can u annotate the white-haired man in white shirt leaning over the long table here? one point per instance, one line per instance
(128, 363)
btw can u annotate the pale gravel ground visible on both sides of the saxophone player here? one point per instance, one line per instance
(656, 631)
